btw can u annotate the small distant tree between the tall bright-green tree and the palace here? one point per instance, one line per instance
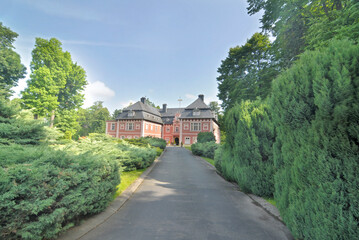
(93, 119)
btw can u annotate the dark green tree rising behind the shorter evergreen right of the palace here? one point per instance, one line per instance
(247, 72)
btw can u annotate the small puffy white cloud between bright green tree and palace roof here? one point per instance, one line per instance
(97, 91)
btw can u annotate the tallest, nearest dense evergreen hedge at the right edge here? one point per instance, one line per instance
(316, 110)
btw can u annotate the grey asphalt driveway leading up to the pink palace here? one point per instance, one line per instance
(183, 198)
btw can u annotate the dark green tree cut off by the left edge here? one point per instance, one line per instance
(11, 69)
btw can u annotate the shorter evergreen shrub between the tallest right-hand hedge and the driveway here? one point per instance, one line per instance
(250, 137)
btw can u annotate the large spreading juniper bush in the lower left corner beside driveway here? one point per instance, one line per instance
(44, 192)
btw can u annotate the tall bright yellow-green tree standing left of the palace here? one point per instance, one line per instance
(55, 85)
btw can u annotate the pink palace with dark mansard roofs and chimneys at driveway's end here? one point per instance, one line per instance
(175, 125)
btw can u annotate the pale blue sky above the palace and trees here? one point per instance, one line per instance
(160, 49)
